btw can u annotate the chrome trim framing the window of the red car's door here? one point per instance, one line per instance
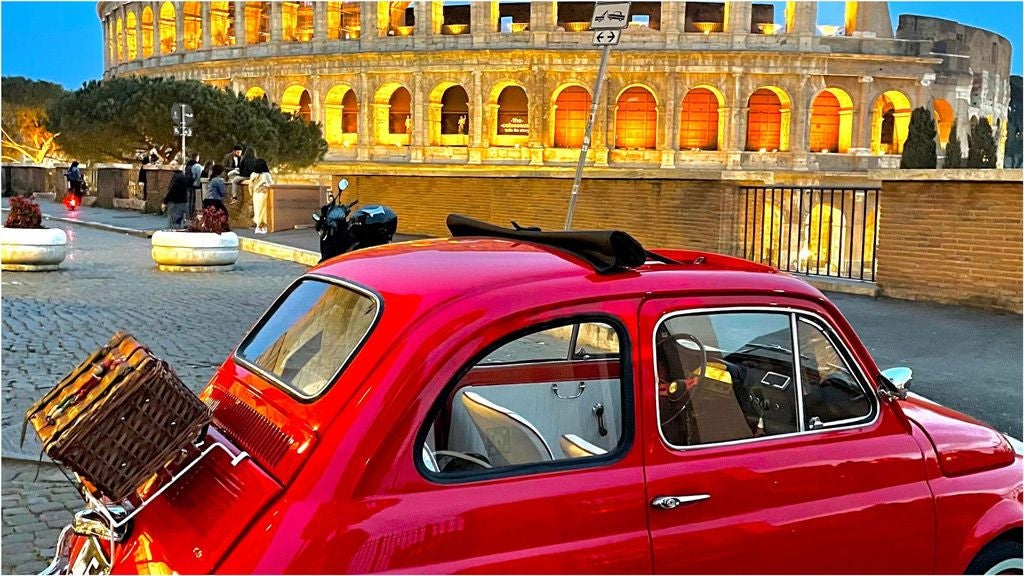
(748, 309)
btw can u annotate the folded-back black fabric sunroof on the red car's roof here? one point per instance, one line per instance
(608, 252)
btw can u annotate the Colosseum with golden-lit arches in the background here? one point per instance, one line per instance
(692, 86)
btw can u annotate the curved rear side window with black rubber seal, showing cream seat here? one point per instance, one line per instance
(526, 404)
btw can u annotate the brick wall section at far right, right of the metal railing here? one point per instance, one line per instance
(952, 242)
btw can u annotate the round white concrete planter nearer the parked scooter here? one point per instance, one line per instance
(195, 252)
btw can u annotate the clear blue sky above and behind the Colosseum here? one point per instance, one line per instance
(62, 42)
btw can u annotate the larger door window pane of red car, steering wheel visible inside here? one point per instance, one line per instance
(726, 377)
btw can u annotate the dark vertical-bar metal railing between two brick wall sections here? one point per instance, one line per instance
(831, 232)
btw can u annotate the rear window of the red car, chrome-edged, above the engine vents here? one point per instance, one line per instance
(310, 336)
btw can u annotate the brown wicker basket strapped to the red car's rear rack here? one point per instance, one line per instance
(131, 416)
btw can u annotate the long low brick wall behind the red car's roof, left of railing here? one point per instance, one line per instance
(671, 214)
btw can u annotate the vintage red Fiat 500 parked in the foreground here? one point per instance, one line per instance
(525, 402)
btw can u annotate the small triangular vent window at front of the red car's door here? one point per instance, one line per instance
(832, 394)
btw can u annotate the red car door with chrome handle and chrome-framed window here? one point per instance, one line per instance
(760, 465)
